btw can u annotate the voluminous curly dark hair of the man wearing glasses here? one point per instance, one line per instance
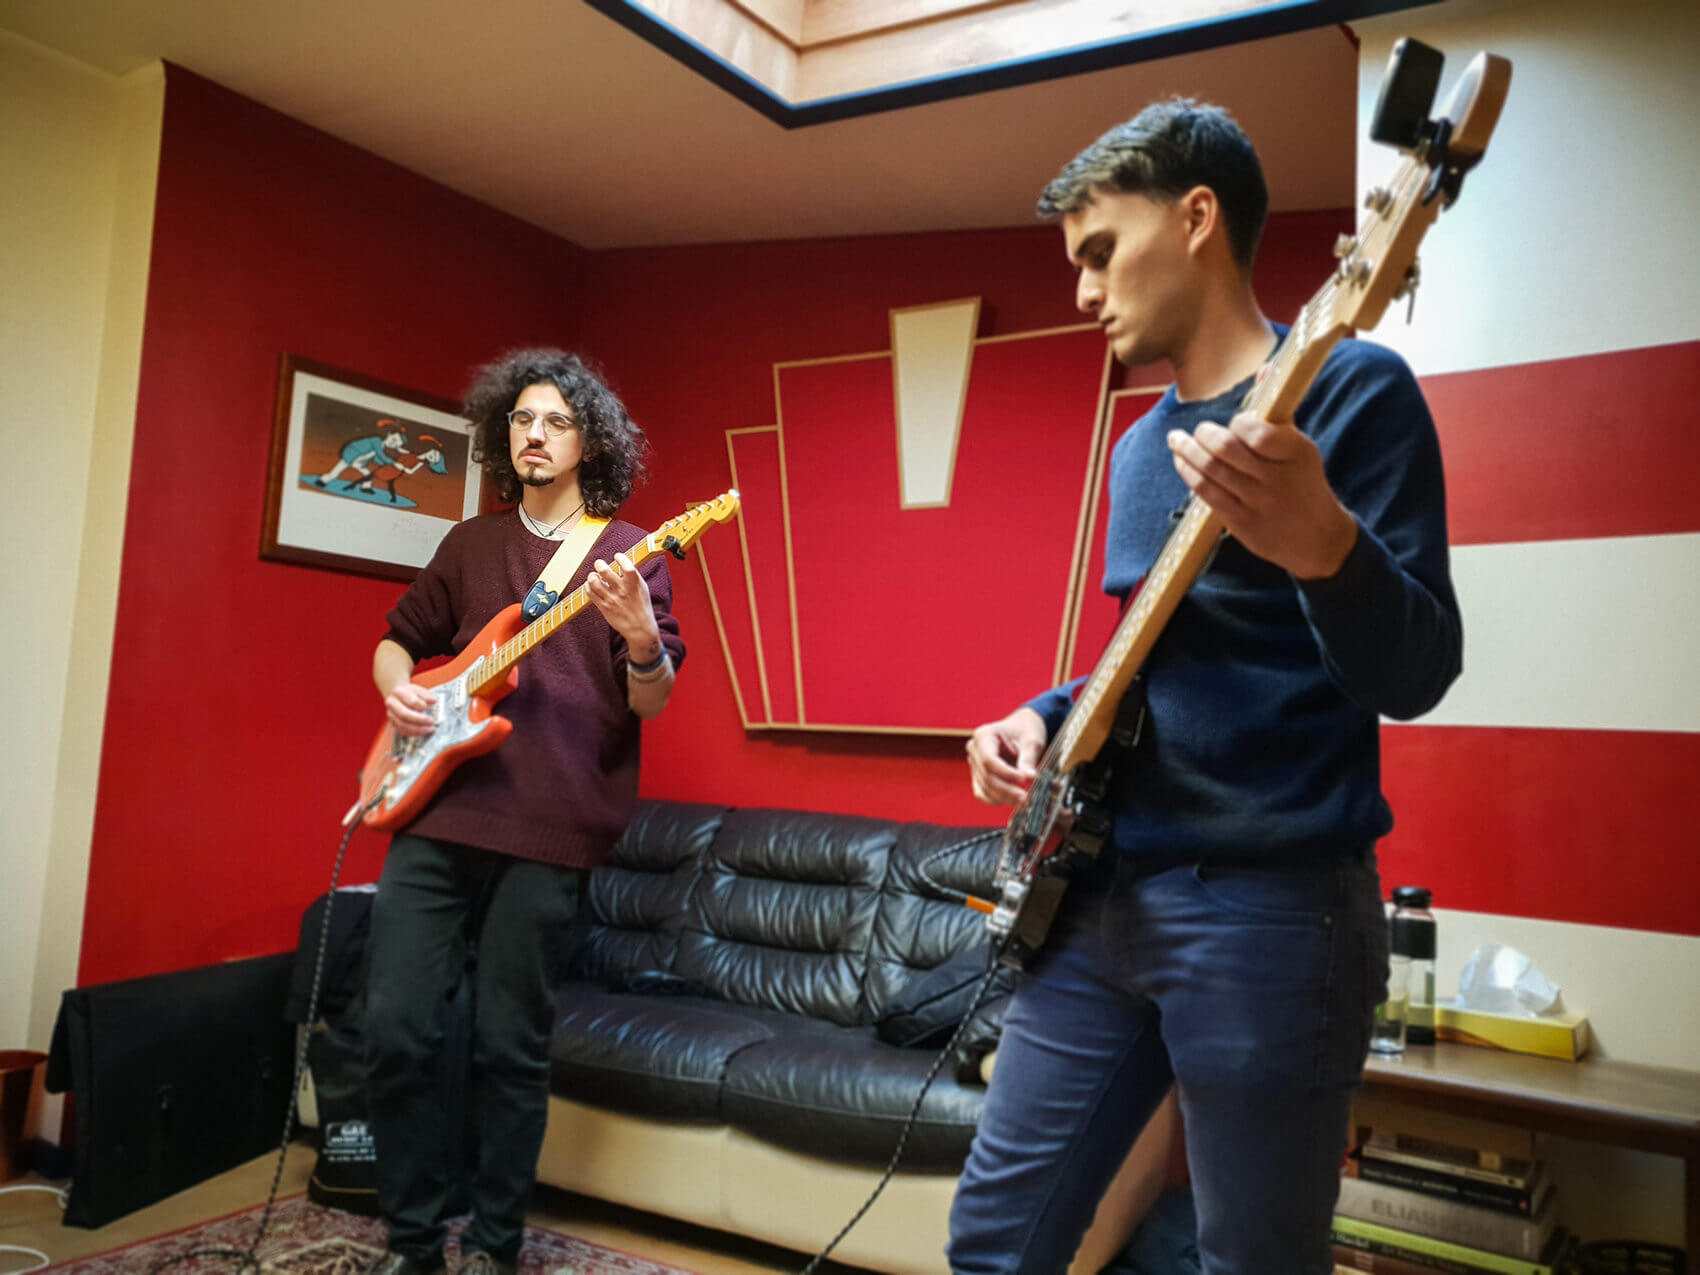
(615, 445)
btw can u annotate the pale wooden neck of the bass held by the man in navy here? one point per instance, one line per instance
(1187, 552)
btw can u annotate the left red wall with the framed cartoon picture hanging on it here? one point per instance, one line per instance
(242, 701)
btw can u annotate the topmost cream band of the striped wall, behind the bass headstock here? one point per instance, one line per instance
(1580, 222)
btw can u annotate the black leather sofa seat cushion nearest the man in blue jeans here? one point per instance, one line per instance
(846, 1097)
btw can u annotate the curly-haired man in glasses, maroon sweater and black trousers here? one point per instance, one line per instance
(494, 866)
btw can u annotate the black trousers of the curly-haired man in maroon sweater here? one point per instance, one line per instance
(439, 905)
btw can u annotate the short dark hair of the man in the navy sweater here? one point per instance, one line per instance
(1165, 152)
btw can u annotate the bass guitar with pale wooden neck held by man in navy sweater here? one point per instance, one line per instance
(1062, 825)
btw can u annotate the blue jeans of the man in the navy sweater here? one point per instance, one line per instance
(1247, 987)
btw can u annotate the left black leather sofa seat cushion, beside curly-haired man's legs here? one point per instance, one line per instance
(662, 1057)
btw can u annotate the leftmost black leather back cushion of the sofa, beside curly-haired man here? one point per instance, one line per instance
(638, 900)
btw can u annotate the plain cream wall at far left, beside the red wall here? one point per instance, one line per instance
(79, 150)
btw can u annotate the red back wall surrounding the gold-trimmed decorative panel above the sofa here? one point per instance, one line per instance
(691, 337)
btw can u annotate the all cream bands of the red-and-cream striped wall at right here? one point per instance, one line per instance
(1573, 239)
